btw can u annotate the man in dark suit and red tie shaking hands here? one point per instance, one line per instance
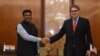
(78, 34)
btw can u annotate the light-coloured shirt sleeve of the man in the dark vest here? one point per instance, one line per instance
(22, 32)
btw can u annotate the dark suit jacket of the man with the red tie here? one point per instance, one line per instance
(81, 37)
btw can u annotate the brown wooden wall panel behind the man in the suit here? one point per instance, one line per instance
(91, 9)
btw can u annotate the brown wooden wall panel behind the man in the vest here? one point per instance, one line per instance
(11, 15)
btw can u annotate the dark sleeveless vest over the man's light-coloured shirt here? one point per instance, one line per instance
(27, 48)
